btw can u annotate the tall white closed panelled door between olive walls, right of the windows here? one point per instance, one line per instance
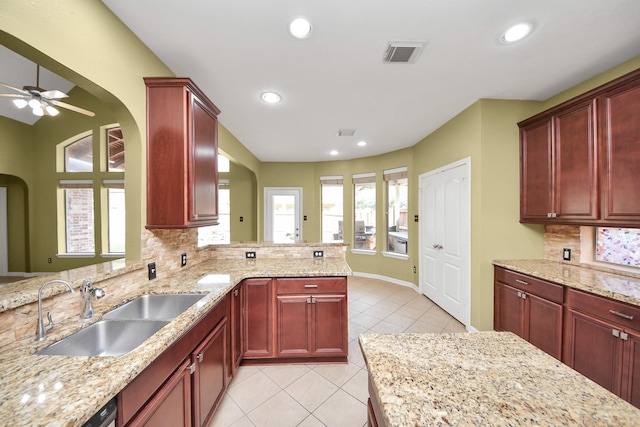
(444, 238)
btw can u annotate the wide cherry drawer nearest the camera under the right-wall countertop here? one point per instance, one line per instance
(604, 308)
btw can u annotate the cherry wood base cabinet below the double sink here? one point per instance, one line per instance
(185, 384)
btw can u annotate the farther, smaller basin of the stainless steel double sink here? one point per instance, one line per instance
(154, 307)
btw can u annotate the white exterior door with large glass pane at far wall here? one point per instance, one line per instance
(282, 214)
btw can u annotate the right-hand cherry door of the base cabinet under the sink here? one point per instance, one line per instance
(210, 376)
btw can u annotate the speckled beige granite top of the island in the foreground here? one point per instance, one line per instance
(487, 378)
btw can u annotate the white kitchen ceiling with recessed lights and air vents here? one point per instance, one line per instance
(237, 49)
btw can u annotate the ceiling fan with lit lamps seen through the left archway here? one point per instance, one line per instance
(42, 102)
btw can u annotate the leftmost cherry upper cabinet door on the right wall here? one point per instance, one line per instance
(536, 183)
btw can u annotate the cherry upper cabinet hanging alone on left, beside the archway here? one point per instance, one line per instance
(182, 150)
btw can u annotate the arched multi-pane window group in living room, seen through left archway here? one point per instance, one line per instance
(92, 216)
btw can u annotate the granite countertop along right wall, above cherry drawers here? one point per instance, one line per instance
(610, 285)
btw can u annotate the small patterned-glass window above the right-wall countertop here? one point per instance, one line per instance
(618, 246)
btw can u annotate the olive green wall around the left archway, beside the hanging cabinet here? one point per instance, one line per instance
(83, 42)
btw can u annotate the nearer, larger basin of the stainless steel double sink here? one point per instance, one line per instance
(105, 338)
